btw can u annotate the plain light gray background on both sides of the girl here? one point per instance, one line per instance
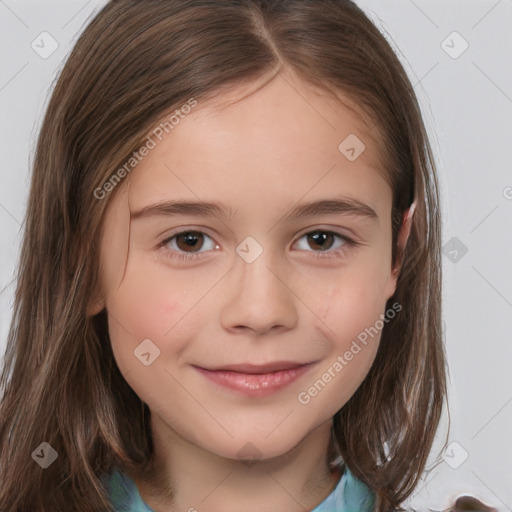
(466, 97)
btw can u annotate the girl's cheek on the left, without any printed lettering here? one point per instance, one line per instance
(147, 307)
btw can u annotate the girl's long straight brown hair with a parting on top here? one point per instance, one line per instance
(137, 61)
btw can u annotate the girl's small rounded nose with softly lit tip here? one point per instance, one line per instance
(259, 297)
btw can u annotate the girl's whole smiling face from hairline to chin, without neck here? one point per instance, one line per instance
(263, 278)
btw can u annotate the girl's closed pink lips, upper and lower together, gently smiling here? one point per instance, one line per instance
(256, 380)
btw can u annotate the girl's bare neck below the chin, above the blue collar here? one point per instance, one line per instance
(189, 478)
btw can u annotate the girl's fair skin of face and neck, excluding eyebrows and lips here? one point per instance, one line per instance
(260, 151)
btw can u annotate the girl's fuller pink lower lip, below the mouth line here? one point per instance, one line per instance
(255, 384)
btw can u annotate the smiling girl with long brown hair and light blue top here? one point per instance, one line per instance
(229, 285)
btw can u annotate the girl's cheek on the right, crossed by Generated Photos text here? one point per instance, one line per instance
(349, 304)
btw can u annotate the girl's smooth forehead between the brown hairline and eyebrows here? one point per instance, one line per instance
(278, 137)
